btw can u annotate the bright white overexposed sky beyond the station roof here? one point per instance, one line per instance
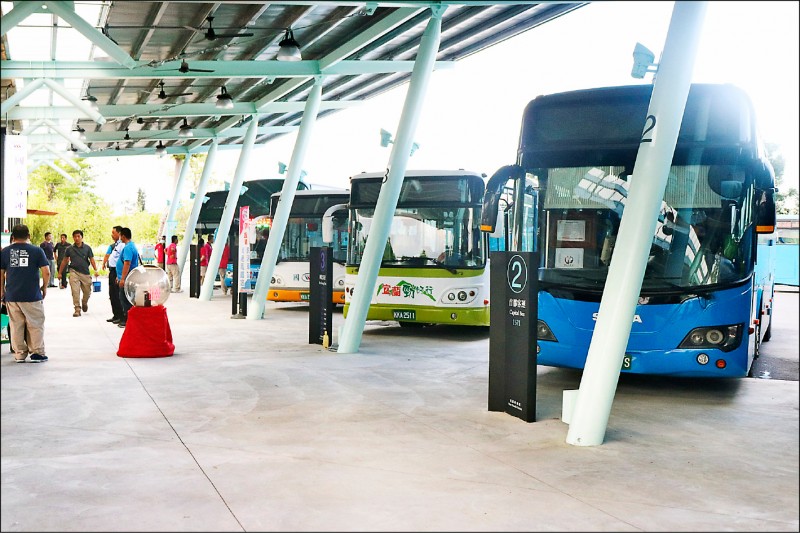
(472, 112)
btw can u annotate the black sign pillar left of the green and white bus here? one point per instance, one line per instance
(320, 296)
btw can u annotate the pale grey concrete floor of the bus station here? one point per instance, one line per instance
(249, 428)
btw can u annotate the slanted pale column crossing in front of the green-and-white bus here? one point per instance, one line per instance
(353, 327)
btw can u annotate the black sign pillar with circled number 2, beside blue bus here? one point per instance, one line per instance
(512, 334)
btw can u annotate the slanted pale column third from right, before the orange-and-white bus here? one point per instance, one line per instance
(255, 311)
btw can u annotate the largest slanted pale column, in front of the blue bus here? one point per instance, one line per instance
(617, 307)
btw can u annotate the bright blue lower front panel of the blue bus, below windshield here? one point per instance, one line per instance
(656, 333)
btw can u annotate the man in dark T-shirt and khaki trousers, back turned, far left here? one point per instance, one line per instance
(20, 265)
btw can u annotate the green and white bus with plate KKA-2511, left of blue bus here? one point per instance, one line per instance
(435, 265)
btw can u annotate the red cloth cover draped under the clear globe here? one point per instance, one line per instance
(147, 333)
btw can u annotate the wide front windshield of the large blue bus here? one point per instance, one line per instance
(704, 234)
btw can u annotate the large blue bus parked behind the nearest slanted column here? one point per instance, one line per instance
(705, 303)
